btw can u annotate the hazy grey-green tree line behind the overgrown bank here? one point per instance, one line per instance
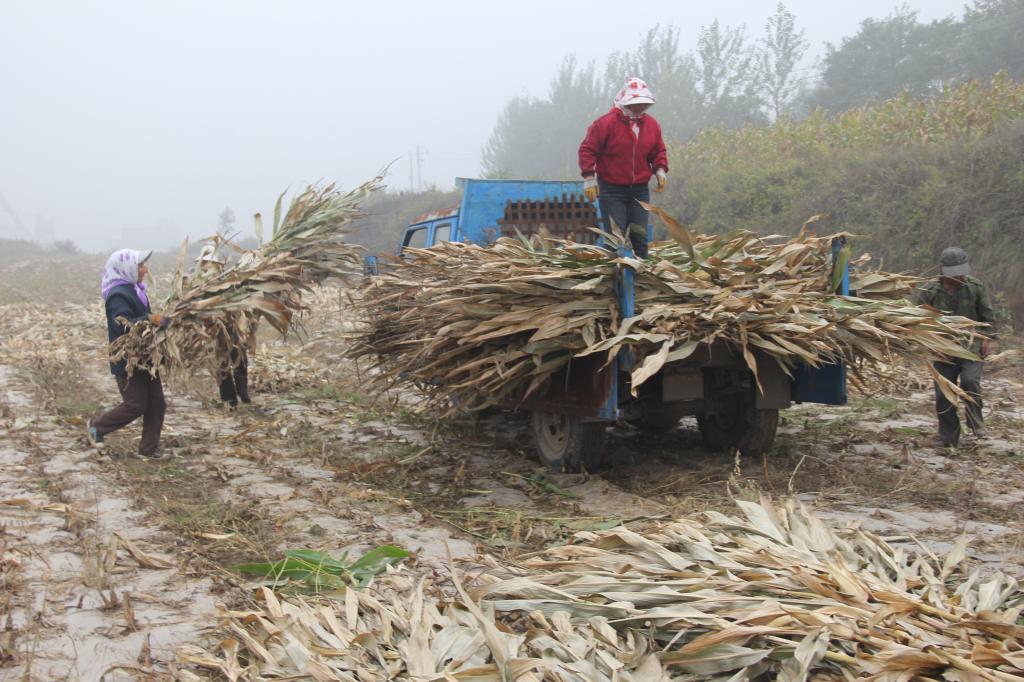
(734, 79)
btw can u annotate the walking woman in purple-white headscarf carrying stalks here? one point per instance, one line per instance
(125, 296)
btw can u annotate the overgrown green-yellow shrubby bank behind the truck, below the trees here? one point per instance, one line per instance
(909, 179)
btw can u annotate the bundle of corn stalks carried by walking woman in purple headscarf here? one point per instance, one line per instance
(214, 319)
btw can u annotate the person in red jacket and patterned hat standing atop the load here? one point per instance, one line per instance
(622, 151)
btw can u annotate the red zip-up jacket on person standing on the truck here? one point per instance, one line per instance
(617, 155)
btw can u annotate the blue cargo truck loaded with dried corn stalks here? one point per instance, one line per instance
(570, 419)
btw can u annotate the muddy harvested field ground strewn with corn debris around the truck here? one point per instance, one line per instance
(109, 563)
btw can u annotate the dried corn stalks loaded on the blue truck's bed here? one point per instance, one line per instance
(474, 327)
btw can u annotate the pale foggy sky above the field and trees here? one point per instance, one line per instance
(131, 123)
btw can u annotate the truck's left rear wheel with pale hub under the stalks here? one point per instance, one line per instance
(569, 444)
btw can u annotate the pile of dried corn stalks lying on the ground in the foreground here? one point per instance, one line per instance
(776, 593)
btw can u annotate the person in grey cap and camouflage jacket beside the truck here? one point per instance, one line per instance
(957, 293)
